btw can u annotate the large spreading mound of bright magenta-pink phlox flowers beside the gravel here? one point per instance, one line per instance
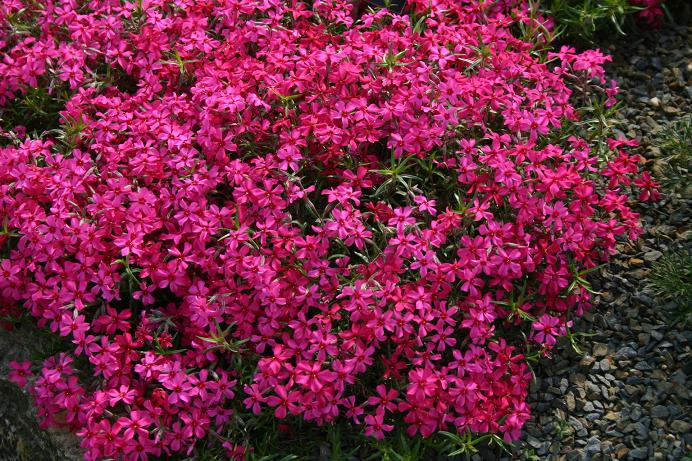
(249, 211)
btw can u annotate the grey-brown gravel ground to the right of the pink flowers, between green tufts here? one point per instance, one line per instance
(628, 396)
